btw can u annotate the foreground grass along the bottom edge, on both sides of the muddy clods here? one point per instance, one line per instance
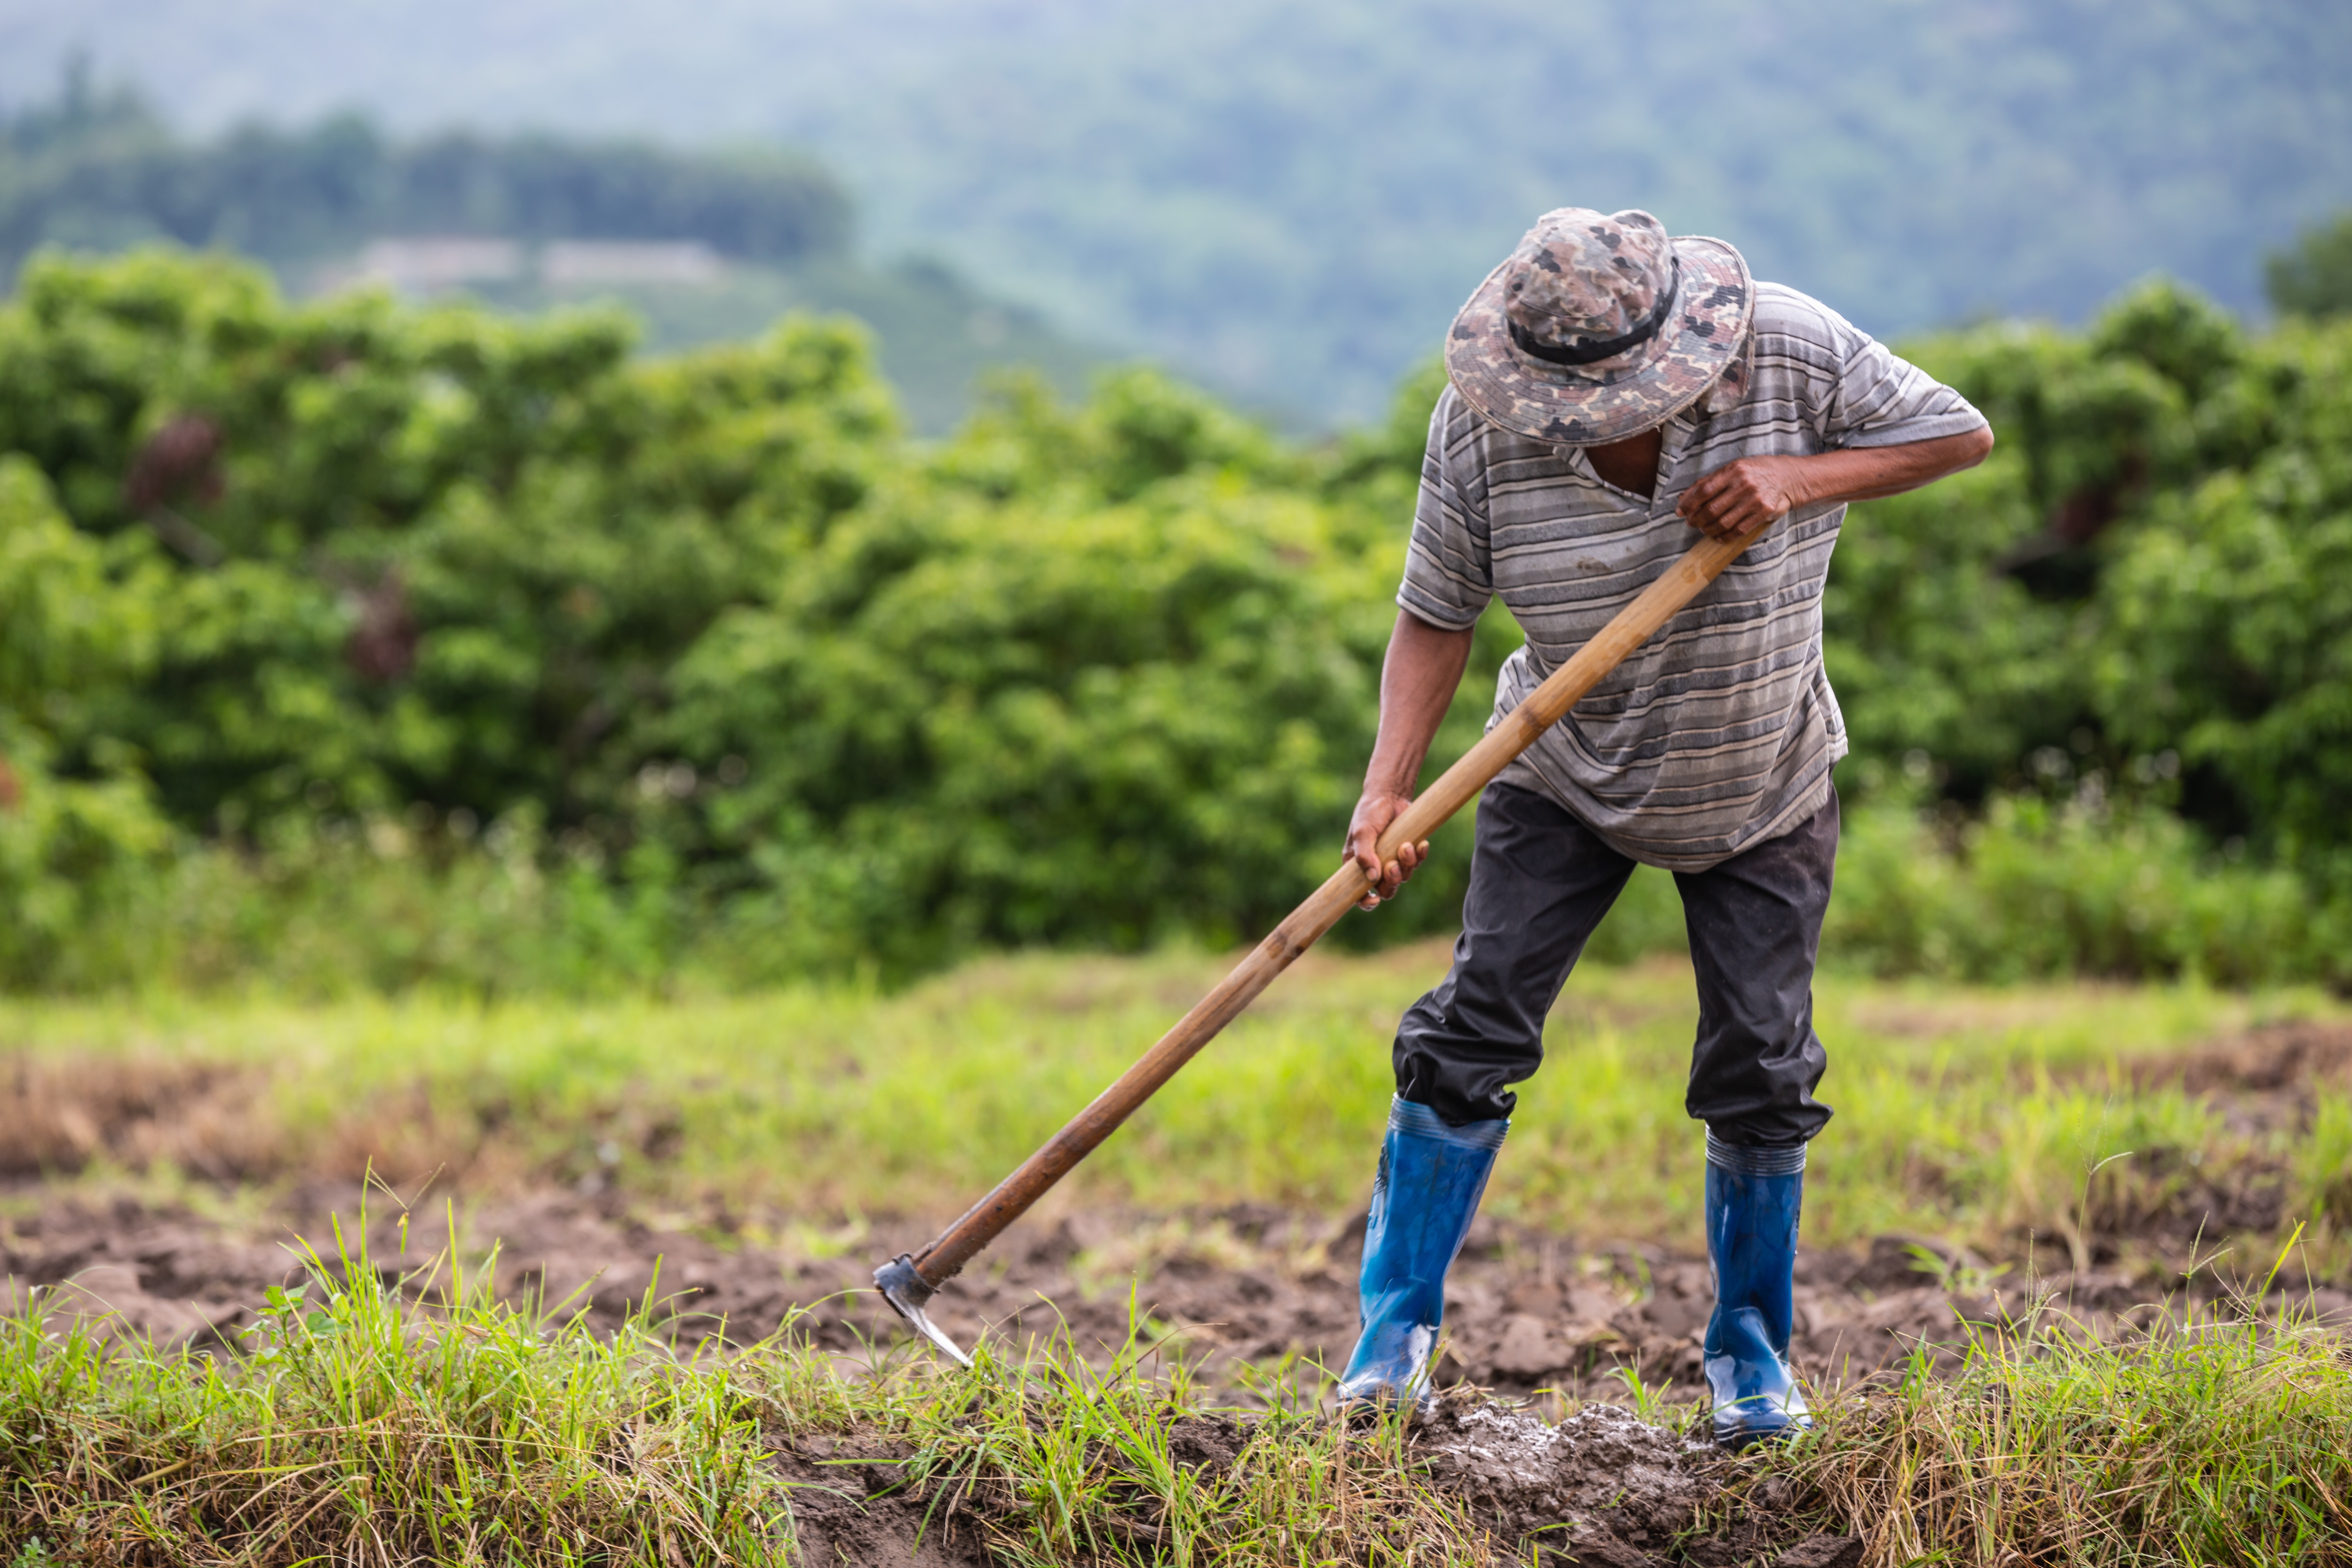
(429, 1423)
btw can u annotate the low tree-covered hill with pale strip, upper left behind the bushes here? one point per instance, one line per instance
(700, 246)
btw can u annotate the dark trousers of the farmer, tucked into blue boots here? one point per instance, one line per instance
(1542, 883)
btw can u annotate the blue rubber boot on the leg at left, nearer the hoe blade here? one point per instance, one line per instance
(1422, 1202)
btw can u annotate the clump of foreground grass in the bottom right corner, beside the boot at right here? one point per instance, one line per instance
(2221, 1440)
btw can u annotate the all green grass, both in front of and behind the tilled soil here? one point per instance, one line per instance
(373, 1428)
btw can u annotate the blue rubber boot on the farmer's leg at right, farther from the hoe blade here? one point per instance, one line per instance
(1753, 1202)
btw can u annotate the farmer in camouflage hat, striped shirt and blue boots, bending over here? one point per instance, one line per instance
(1610, 391)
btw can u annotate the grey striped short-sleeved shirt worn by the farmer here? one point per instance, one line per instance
(1718, 732)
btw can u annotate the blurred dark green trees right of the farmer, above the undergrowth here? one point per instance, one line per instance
(2149, 570)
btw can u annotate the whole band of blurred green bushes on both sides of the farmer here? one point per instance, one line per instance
(528, 662)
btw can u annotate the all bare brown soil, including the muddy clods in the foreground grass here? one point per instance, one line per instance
(1537, 1318)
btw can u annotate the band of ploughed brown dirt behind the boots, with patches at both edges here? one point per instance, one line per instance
(1528, 1311)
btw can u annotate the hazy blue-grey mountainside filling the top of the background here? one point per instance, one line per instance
(1290, 196)
